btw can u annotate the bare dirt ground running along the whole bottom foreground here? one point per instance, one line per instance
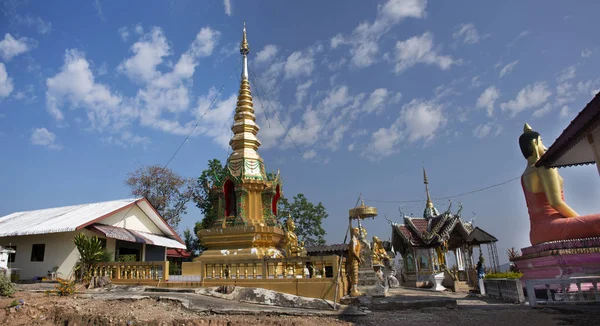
(43, 310)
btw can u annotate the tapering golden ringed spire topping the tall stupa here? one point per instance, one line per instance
(244, 142)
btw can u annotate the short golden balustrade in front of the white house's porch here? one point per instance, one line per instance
(139, 270)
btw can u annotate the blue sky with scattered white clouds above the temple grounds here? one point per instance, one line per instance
(369, 92)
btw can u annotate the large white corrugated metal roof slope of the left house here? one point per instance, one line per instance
(58, 219)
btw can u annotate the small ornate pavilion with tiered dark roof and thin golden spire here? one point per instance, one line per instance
(424, 242)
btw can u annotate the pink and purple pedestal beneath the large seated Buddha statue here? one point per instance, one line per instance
(560, 259)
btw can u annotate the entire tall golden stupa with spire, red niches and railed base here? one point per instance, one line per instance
(247, 246)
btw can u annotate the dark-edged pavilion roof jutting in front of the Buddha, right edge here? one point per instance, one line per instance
(571, 147)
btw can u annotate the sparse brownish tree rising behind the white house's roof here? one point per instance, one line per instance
(167, 191)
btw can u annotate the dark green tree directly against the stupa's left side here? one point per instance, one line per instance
(205, 199)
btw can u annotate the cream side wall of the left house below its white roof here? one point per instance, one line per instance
(60, 251)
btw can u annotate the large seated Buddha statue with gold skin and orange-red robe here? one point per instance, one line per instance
(551, 219)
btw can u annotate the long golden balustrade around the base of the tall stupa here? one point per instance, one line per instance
(279, 268)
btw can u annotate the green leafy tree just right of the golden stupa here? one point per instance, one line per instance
(307, 217)
